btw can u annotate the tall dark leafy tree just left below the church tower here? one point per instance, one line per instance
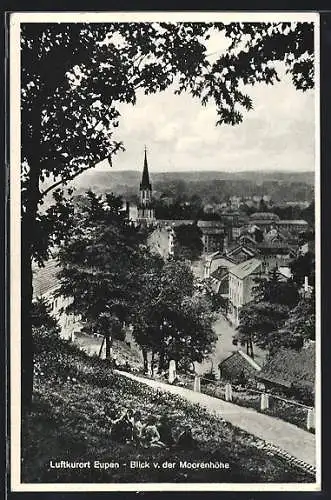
(99, 264)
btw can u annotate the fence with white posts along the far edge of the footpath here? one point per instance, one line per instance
(292, 411)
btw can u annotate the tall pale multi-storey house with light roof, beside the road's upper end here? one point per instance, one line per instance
(241, 282)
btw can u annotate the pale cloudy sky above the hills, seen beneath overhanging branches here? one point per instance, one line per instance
(180, 134)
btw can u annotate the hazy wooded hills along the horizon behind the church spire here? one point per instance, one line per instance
(281, 186)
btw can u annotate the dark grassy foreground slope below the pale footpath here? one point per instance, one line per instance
(69, 422)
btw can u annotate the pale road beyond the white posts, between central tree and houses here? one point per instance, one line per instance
(224, 346)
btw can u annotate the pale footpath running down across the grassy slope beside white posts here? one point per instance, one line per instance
(293, 440)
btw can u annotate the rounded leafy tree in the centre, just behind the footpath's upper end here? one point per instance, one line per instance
(172, 319)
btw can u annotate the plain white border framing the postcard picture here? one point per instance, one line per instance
(15, 241)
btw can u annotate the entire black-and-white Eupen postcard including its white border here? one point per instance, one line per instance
(165, 265)
